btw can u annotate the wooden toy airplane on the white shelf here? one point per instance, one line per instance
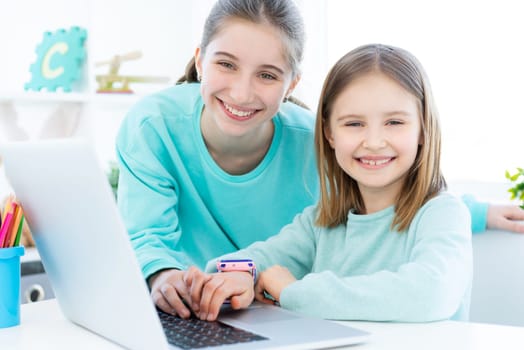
(115, 83)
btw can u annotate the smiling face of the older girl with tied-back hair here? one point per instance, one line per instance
(245, 76)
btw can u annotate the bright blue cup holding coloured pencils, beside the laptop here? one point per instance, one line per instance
(10, 286)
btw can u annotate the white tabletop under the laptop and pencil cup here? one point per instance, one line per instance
(43, 326)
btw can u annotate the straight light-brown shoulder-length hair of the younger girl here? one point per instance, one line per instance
(339, 193)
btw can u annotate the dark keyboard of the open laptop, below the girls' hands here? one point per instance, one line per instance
(194, 333)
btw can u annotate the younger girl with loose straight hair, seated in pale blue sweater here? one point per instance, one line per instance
(385, 242)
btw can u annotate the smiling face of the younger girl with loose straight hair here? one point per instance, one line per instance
(375, 130)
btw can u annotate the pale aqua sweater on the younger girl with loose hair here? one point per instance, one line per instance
(364, 271)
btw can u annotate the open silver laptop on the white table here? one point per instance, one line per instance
(88, 257)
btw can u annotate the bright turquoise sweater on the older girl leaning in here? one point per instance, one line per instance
(180, 208)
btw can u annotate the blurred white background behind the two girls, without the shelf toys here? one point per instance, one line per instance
(472, 51)
